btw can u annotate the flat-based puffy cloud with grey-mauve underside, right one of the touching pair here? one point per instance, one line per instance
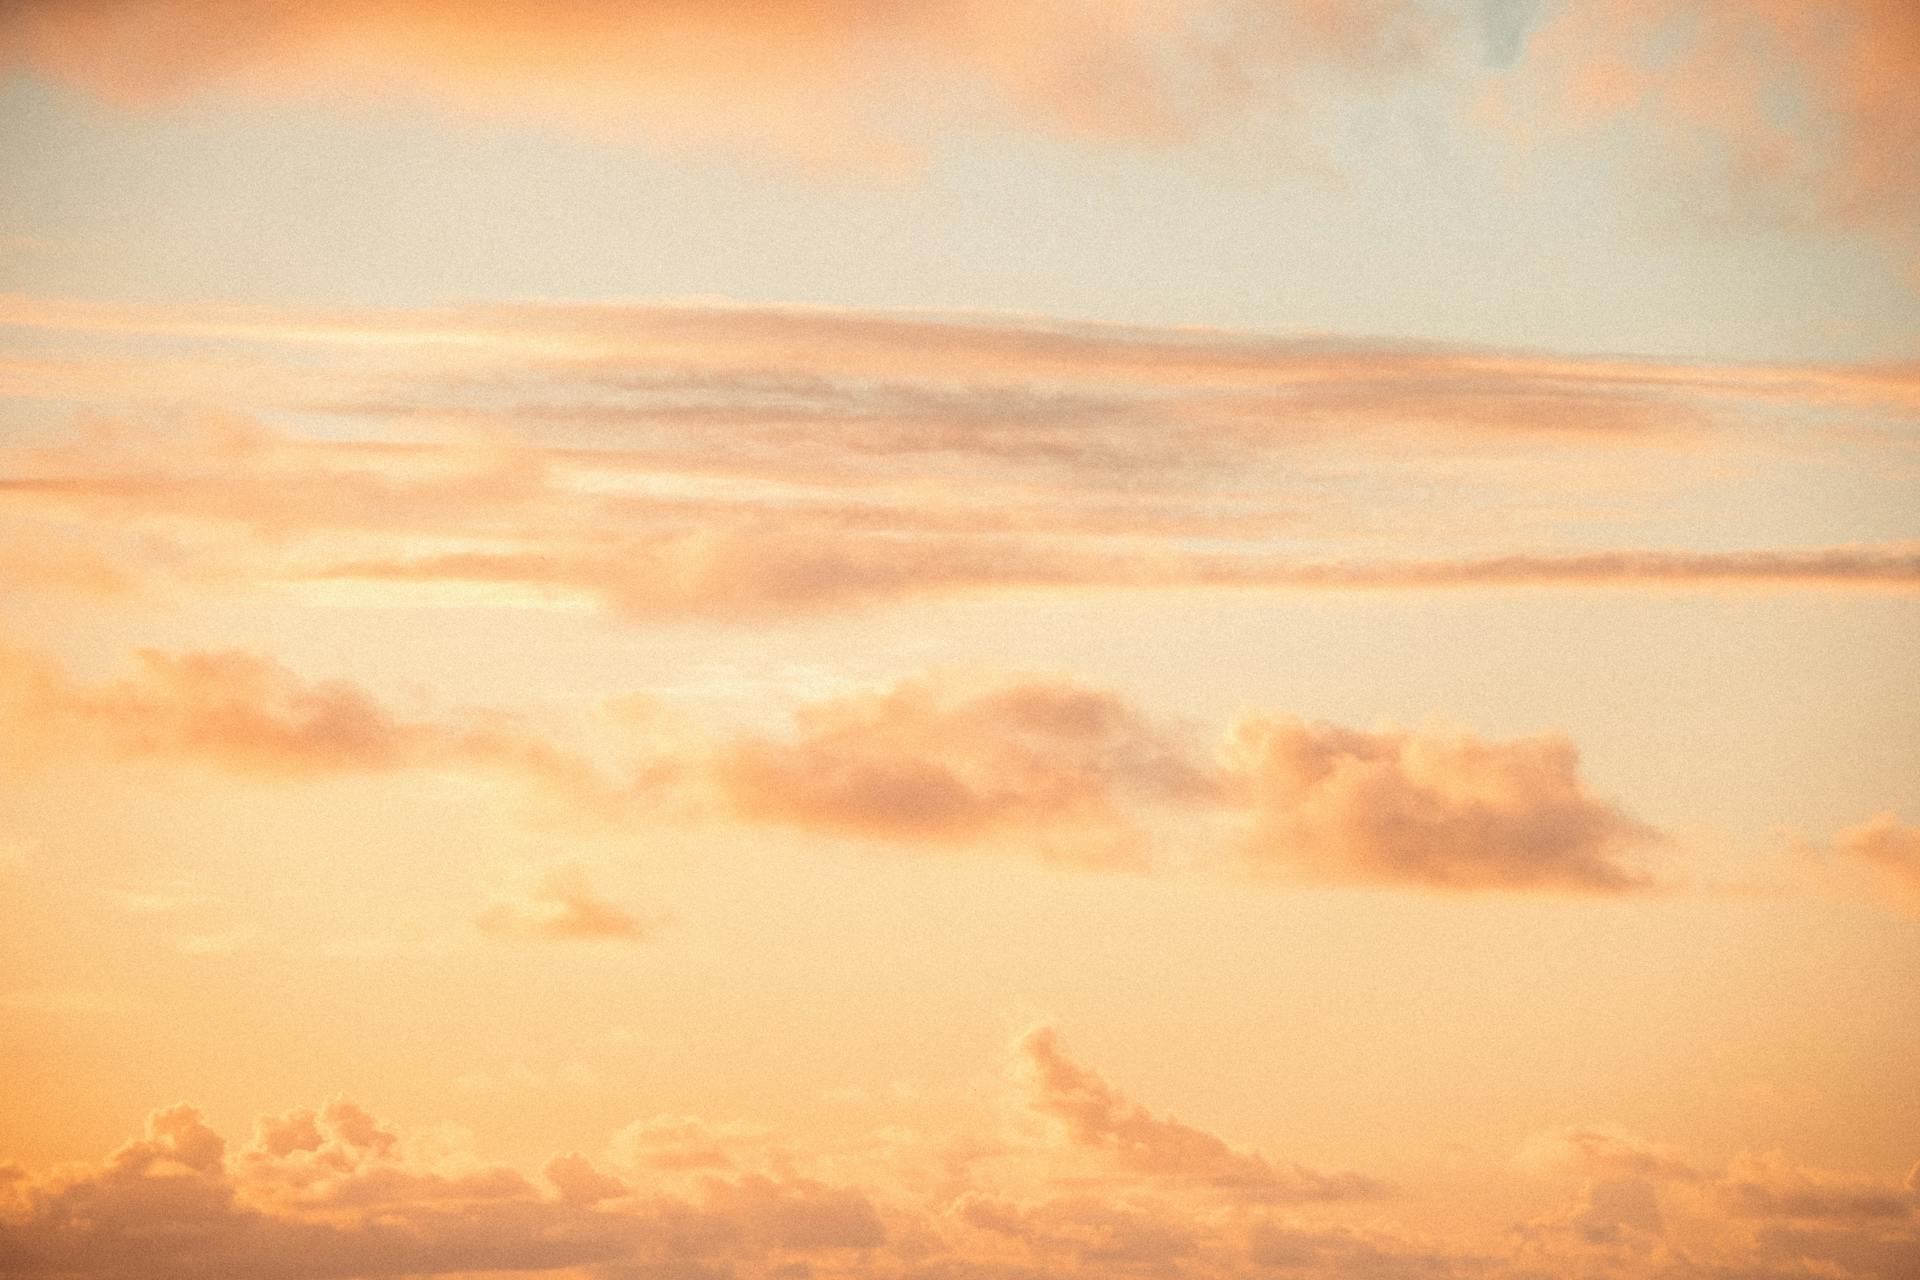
(1439, 811)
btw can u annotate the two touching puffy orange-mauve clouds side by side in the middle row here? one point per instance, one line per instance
(1072, 774)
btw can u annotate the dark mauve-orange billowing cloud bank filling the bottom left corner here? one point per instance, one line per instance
(348, 1198)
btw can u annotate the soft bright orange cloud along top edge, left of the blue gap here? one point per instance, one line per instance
(805, 78)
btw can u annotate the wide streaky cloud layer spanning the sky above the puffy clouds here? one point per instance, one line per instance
(769, 463)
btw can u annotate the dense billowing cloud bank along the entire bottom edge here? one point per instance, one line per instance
(335, 1195)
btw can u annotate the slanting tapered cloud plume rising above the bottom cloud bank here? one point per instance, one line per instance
(1097, 1118)
